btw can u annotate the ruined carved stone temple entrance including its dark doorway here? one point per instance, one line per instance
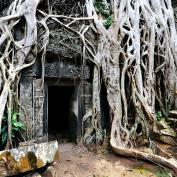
(60, 106)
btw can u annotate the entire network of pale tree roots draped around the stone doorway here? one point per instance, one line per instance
(136, 57)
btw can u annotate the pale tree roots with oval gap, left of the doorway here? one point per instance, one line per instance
(16, 62)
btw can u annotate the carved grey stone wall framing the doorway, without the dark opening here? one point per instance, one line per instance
(34, 100)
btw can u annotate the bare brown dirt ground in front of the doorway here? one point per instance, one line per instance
(76, 161)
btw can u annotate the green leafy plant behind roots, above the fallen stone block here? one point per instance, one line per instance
(16, 128)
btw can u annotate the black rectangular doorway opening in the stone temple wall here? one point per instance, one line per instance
(60, 123)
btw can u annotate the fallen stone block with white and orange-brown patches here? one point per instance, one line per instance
(28, 158)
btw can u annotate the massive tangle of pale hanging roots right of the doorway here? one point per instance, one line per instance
(138, 58)
